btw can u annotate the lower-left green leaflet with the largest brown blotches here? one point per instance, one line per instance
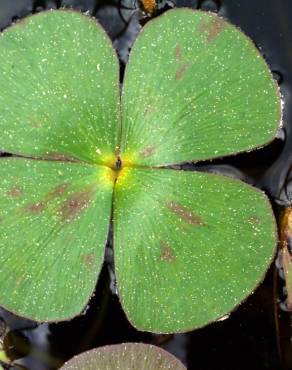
(54, 221)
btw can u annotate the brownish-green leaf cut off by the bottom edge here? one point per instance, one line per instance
(125, 357)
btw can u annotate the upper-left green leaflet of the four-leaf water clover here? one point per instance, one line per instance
(61, 95)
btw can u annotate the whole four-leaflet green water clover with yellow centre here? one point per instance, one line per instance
(188, 246)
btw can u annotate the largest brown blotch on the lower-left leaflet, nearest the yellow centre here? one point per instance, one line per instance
(74, 205)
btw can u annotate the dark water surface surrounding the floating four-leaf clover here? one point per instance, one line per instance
(258, 334)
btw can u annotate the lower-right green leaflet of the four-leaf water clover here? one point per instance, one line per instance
(189, 246)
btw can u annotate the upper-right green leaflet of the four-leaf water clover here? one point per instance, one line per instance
(195, 88)
